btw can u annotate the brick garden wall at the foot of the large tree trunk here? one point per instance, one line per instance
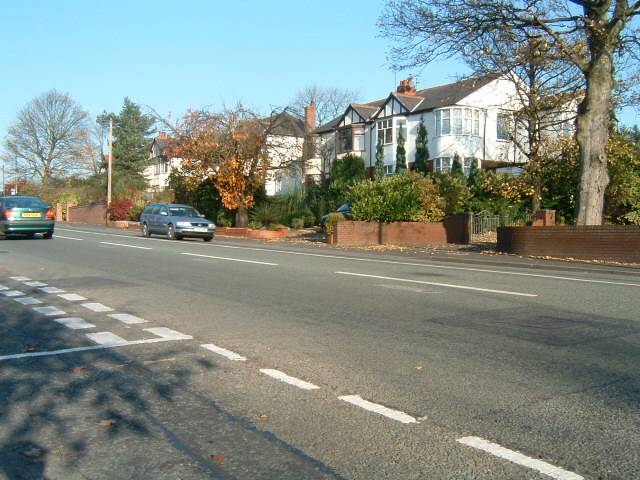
(607, 242)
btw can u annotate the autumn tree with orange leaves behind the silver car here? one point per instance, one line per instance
(229, 147)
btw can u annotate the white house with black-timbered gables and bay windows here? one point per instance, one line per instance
(471, 118)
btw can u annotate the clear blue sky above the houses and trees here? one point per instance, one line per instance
(176, 55)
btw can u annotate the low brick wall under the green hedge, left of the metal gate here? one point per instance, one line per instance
(452, 230)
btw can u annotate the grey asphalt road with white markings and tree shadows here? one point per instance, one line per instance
(241, 359)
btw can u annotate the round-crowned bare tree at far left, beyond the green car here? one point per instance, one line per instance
(48, 137)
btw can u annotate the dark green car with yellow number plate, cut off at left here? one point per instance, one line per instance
(25, 216)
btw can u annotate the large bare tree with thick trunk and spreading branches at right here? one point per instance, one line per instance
(586, 34)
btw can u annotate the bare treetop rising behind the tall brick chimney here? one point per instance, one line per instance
(330, 101)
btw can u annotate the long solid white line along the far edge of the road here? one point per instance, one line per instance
(387, 262)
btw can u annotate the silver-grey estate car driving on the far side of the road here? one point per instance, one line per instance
(176, 222)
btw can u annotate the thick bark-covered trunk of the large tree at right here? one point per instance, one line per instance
(592, 135)
